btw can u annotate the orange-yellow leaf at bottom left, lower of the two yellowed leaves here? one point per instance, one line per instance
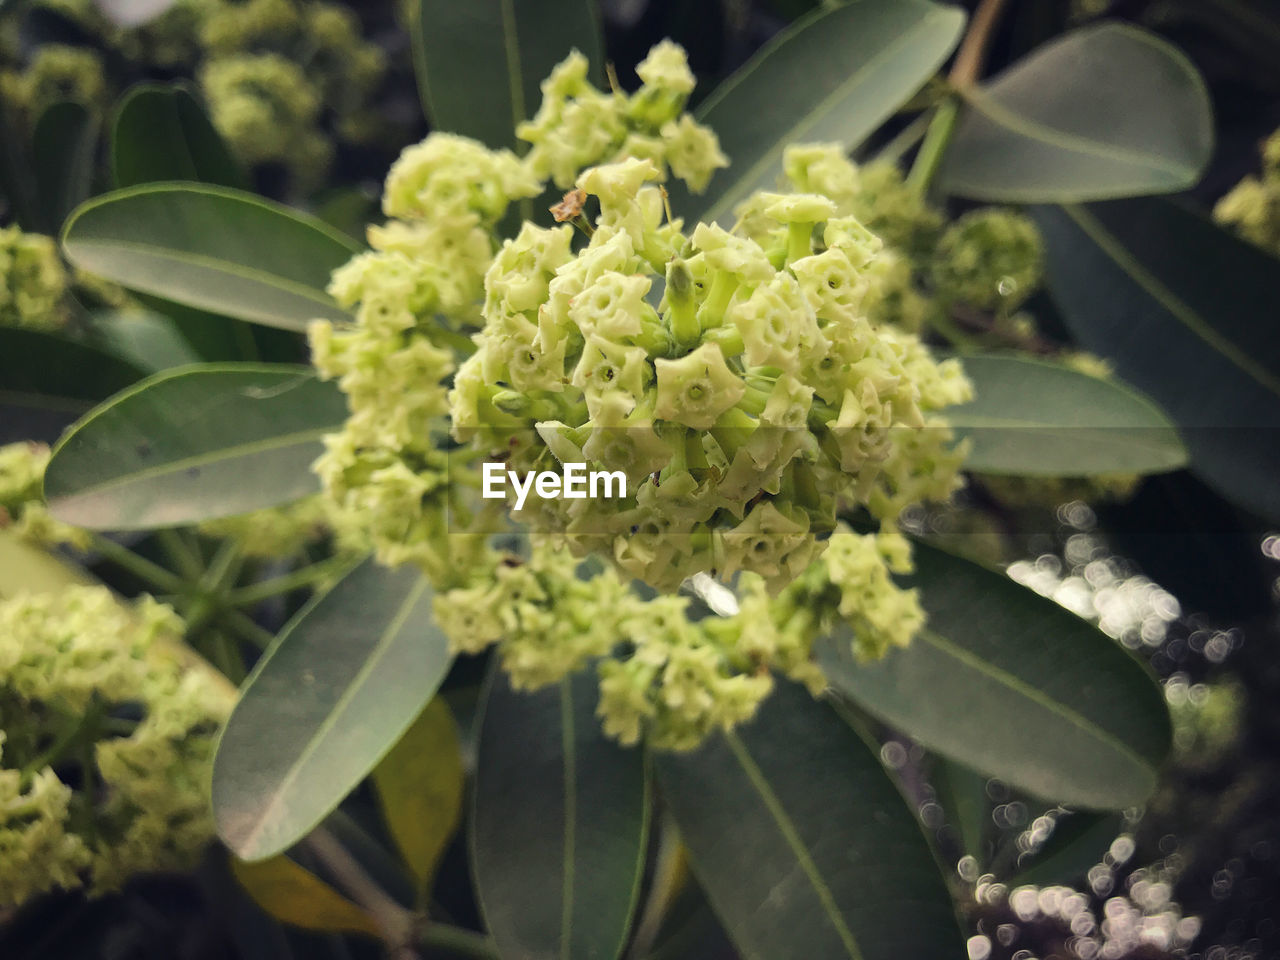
(296, 897)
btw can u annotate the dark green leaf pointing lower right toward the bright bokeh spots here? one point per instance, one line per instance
(1016, 687)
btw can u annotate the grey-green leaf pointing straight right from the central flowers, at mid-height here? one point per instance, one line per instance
(1036, 419)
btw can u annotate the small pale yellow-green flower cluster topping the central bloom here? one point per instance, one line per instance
(579, 126)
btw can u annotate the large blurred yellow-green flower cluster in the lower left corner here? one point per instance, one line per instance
(107, 738)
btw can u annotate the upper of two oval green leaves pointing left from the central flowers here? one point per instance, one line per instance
(213, 249)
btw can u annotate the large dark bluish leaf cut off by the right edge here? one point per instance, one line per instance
(1187, 313)
